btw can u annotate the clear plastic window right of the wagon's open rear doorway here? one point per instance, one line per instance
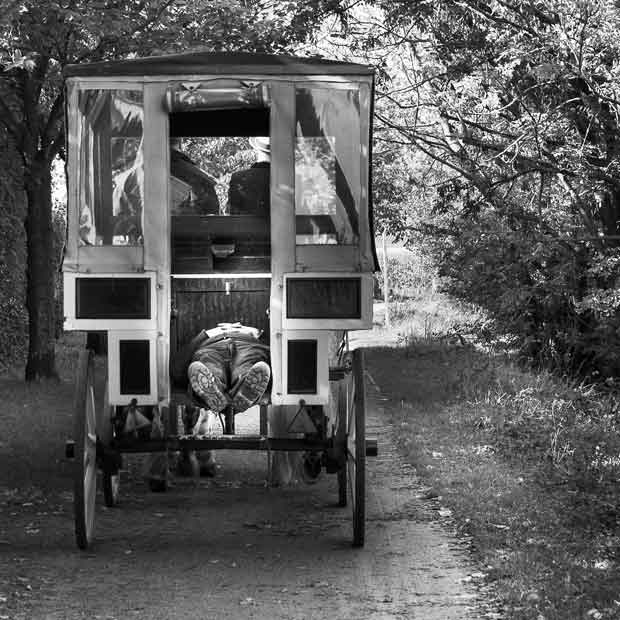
(327, 166)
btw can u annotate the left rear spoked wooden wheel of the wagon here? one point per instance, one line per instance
(85, 437)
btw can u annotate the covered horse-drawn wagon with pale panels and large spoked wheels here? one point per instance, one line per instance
(158, 249)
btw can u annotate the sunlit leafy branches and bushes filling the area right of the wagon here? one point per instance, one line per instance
(497, 142)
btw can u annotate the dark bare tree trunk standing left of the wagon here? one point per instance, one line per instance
(40, 272)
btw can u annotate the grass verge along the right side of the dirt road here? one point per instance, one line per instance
(529, 466)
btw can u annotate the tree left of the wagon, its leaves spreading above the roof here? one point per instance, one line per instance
(39, 38)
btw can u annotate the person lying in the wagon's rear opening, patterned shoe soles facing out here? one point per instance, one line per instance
(229, 366)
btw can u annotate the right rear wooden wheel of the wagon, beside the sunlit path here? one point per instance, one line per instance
(351, 428)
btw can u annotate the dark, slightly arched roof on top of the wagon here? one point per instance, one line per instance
(226, 63)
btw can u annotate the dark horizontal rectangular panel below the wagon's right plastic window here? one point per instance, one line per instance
(323, 298)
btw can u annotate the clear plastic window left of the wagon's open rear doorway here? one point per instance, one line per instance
(111, 169)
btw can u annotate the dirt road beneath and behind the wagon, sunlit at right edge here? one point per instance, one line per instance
(232, 548)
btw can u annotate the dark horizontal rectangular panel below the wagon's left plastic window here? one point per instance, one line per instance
(113, 298)
